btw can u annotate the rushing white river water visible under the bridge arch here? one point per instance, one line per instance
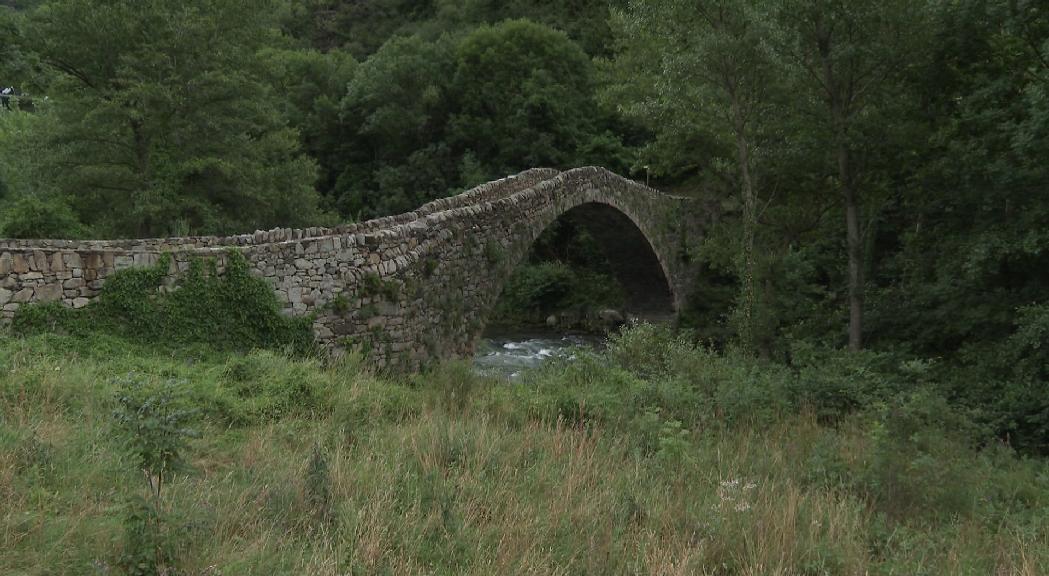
(509, 355)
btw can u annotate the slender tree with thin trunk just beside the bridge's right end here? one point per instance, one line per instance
(711, 62)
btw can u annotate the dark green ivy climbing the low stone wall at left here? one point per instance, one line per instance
(229, 311)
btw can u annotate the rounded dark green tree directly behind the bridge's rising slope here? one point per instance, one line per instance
(429, 119)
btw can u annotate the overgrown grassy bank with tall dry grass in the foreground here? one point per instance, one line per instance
(652, 458)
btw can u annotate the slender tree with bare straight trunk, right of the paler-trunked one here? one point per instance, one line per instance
(847, 57)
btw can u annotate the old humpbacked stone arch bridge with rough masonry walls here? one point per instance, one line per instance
(409, 288)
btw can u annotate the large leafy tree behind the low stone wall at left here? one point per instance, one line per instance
(166, 124)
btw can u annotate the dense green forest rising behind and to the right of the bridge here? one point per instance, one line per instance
(879, 168)
